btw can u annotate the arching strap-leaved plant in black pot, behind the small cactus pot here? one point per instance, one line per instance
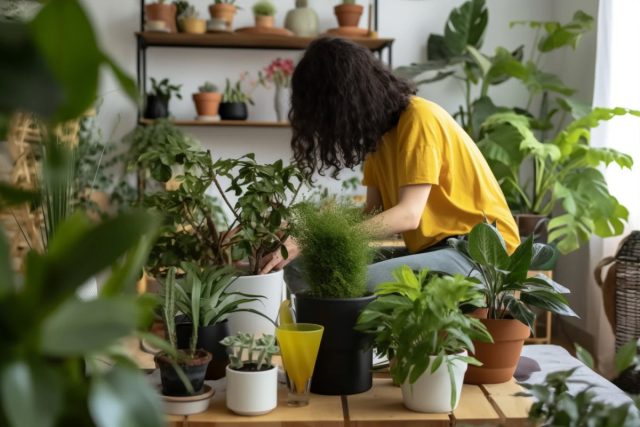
(211, 286)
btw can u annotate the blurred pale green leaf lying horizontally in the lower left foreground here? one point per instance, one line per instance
(78, 327)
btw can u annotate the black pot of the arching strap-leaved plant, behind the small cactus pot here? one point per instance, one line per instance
(209, 338)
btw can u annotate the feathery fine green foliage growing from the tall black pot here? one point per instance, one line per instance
(335, 250)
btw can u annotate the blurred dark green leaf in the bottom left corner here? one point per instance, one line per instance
(31, 395)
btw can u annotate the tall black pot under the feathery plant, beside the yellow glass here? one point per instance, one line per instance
(343, 365)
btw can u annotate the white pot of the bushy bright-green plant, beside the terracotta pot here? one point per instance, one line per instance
(431, 393)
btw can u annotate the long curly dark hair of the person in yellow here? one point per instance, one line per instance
(343, 100)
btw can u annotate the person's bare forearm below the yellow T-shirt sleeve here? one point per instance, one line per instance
(404, 216)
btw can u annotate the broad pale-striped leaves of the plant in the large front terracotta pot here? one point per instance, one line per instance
(507, 290)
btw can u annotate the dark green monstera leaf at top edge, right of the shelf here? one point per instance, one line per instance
(466, 26)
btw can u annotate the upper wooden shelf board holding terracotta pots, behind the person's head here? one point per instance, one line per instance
(245, 41)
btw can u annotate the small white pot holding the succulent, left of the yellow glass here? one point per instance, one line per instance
(252, 393)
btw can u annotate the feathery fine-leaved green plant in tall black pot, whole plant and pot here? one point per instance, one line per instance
(335, 255)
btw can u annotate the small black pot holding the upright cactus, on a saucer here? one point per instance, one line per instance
(194, 368)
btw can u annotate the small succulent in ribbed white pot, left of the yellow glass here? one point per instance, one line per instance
(252, 378)
